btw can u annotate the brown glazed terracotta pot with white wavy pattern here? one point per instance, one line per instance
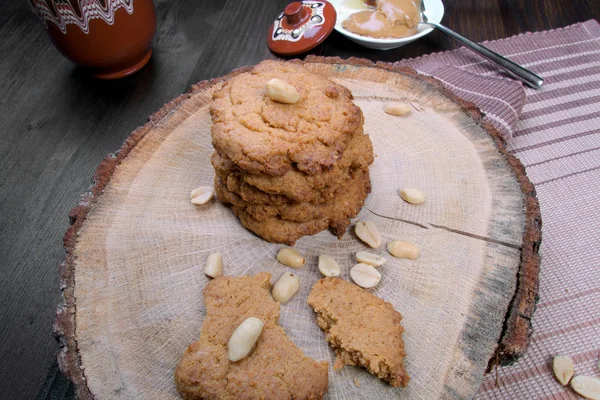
(111, 38)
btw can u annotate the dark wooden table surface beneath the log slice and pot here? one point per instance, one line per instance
(57, 124)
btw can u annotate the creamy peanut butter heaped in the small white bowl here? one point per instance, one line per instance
(390, 19)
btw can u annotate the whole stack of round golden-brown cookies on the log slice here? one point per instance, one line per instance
(289, 168)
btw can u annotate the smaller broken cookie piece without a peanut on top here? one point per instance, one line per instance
(363, 329)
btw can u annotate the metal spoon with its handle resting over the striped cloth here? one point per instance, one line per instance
(515, 70)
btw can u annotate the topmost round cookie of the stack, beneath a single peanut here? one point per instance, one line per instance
(261, 135)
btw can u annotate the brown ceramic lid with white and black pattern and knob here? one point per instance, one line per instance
(301, 27)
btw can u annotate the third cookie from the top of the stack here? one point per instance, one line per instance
(346, 204)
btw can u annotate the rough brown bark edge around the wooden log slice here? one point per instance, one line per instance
(516, 331)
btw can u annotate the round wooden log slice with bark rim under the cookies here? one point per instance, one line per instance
(133, 275)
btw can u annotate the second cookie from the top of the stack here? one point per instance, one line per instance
(300, 186)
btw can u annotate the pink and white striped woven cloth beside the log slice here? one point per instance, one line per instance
(555, 131)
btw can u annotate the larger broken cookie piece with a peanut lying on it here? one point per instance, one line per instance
(274, 369)
